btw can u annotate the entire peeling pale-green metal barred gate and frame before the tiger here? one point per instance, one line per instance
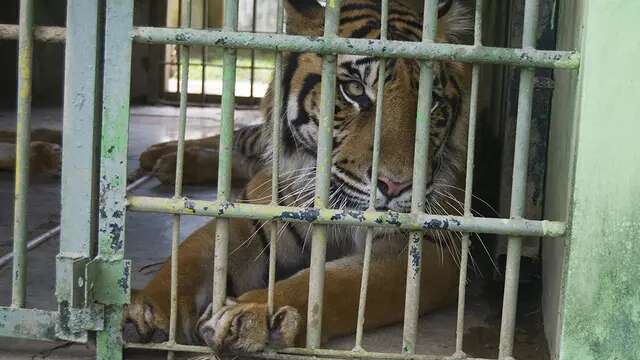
(93, 288)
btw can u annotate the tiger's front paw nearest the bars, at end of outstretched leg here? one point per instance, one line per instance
(246, 327)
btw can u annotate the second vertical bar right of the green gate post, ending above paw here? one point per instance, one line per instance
(224, 165)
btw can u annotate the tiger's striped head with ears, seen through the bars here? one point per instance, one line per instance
(356, 100)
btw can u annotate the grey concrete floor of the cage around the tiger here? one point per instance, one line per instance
(150, 125)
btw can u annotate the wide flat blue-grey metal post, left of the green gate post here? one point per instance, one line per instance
(80, 134)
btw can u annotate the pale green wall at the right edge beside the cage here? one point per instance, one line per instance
(595, 172)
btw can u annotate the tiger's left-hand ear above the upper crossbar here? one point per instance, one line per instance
(305, 17)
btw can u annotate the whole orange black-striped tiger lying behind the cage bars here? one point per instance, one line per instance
(244, 323)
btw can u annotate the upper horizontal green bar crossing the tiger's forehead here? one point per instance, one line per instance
(366, 47)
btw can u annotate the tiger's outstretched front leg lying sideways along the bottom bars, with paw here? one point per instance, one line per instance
(246, 326)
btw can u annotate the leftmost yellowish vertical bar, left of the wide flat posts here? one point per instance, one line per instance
(23, 139)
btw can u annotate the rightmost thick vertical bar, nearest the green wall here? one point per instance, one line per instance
(518, 187)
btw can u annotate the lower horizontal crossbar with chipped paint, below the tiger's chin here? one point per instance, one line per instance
(420, 222)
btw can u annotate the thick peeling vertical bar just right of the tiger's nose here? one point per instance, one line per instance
(418, 195)
